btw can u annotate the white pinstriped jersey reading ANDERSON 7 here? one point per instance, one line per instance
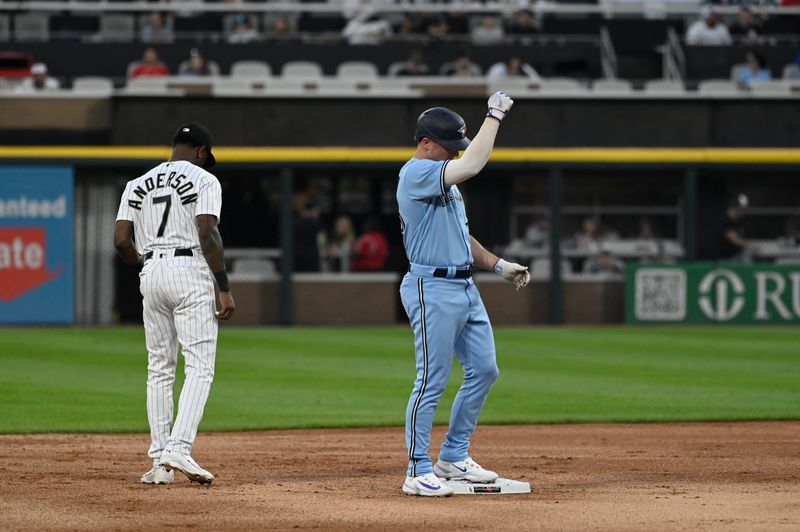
(163, 205)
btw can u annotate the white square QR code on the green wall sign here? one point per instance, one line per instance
(660, 294)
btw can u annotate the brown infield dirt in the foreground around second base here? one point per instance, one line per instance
(707, 476)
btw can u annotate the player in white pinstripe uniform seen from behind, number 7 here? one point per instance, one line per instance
(173, 211)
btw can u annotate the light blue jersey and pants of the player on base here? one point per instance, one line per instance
(445, 312)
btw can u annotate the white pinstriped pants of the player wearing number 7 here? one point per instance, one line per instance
(179, 308)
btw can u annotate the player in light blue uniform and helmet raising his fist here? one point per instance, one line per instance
(440, 297)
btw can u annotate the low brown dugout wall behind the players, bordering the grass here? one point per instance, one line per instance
(373, 299)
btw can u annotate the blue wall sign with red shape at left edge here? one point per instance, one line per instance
(36, 250)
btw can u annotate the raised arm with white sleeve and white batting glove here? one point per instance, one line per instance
(478, 152)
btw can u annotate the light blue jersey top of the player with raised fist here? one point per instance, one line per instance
(434, 222)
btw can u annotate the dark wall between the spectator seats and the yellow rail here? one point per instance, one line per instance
(564, 122)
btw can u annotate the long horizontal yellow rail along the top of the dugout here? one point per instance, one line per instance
(345, 154)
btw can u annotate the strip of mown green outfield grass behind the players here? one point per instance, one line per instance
(93, 380)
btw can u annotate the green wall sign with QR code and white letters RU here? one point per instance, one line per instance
(713, 293)
